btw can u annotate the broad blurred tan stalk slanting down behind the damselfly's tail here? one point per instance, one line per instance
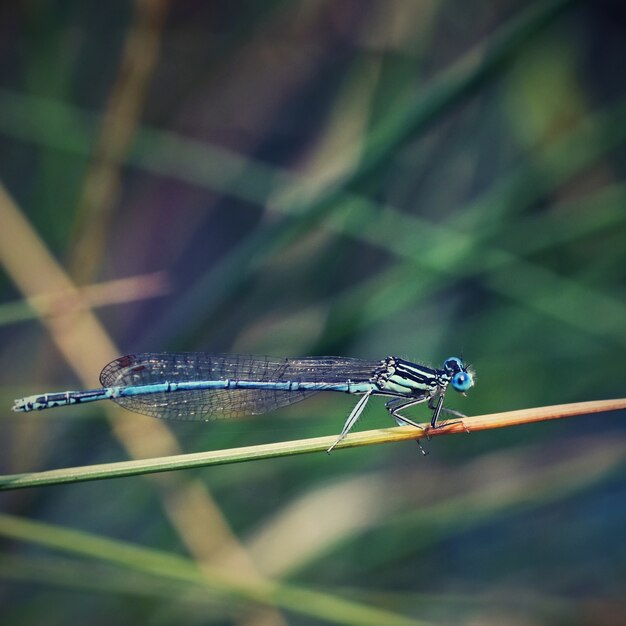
(188, 504)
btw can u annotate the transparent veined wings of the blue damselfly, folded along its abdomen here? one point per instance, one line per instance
(153, 367)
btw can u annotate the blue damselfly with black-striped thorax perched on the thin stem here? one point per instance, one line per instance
(199, 386)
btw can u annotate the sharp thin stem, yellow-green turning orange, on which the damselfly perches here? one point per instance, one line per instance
(302, 446)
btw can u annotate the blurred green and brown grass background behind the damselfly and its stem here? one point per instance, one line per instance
(372, 178)
